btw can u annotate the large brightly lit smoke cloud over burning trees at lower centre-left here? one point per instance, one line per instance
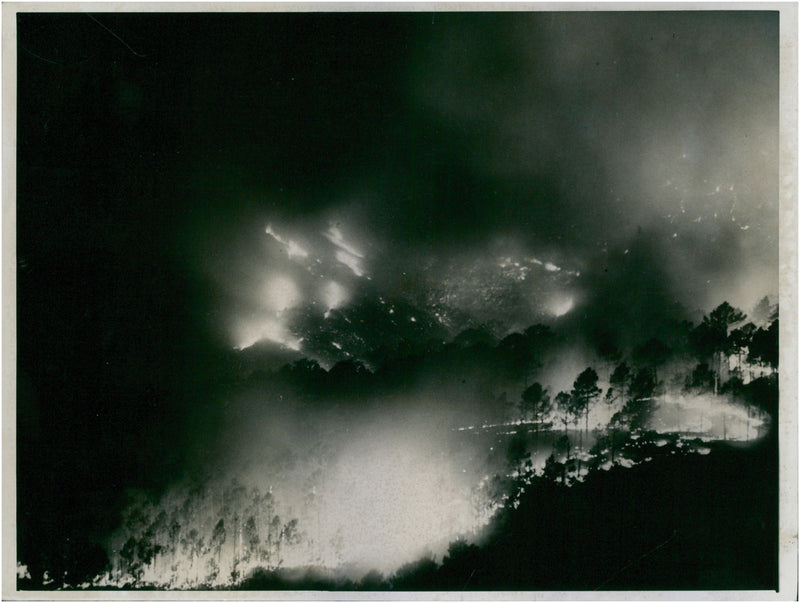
(355, 484)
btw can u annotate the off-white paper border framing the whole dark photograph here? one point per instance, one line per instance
(788, 277)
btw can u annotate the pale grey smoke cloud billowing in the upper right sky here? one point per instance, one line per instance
(575, 132)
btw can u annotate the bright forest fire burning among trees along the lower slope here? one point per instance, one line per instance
(376, 497)
